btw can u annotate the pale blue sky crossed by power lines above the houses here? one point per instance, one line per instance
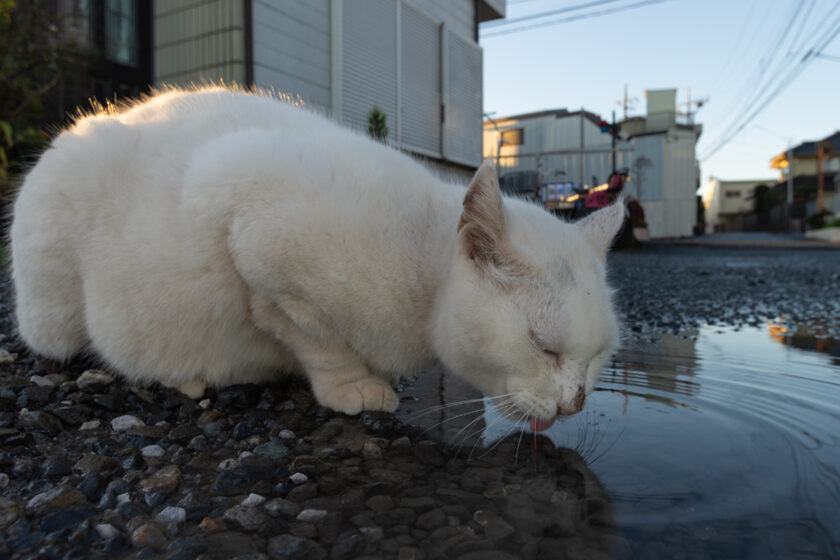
(734, 53)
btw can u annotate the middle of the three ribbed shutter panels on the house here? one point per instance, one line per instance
(420, 89)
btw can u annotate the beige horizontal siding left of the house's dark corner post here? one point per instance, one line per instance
(198, 41)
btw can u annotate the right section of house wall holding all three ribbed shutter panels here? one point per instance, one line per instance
(417, 61)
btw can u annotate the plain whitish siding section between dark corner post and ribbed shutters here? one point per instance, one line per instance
(292, 48)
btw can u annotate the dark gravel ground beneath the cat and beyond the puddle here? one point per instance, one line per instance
(93, 468)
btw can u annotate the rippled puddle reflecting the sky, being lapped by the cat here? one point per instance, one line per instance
(717, 443)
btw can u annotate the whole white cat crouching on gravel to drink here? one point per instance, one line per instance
(214, 237)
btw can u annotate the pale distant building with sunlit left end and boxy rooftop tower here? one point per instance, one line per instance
(562, 145)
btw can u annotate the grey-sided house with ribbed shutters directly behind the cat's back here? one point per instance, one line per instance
(417, 61)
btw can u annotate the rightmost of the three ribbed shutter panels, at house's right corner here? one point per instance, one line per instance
(462, 90)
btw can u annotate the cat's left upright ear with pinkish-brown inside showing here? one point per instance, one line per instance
(482, 225)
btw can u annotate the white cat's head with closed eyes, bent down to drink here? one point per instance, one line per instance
(526, 314)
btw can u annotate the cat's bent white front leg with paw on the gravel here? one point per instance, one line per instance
(339, 378)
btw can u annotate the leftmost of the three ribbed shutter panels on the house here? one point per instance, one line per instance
(369, 76)
